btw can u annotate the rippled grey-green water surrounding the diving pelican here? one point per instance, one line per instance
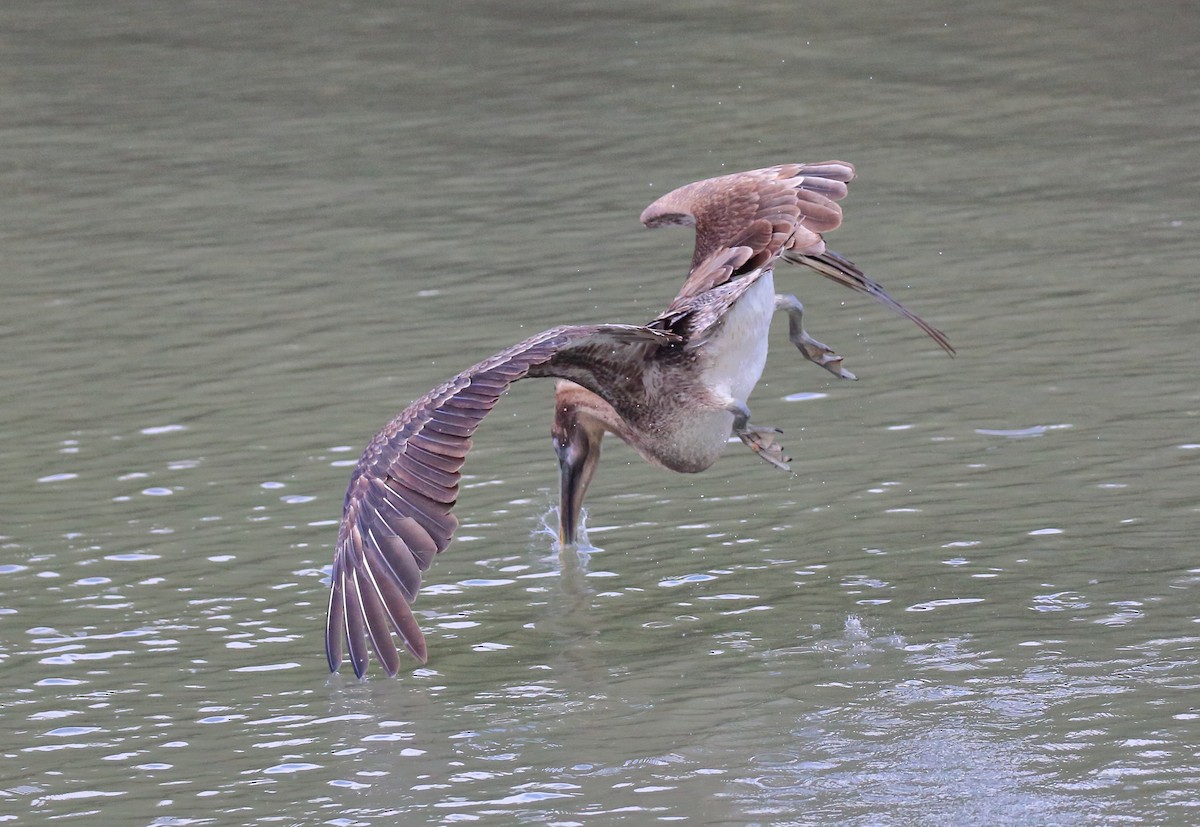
(238, 238)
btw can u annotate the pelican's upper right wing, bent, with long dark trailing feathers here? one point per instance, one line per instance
(747, 220)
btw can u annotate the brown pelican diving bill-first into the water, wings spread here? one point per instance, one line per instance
(675, 389)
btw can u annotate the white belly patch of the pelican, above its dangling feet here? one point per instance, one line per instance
(740, 352)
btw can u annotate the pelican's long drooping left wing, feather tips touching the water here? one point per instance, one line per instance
(399, 506)
